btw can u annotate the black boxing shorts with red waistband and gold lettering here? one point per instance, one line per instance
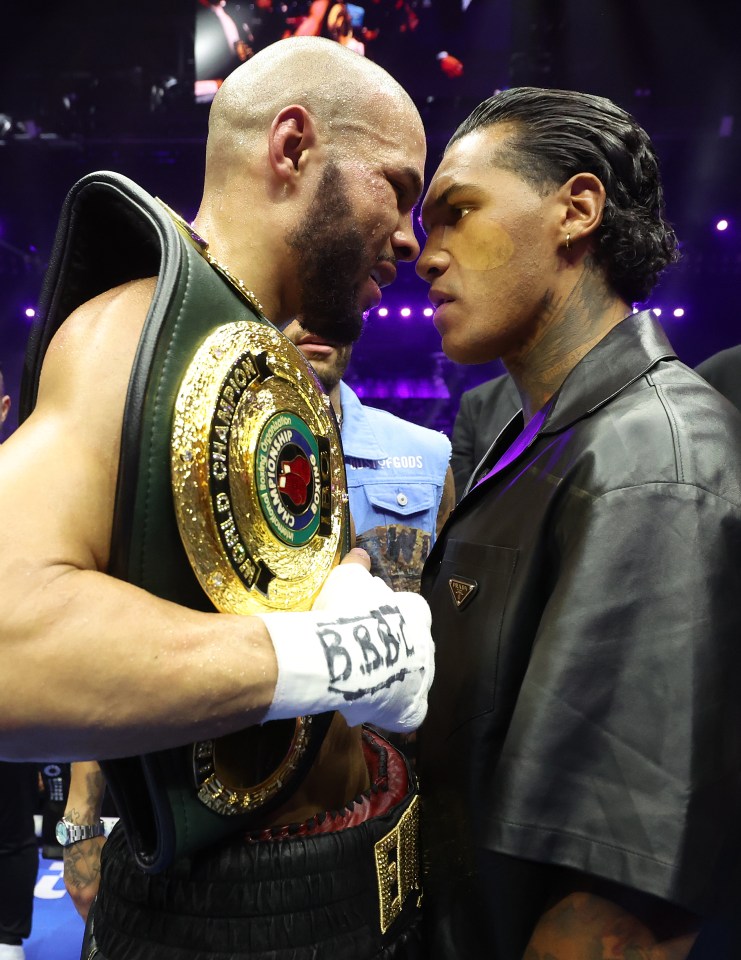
(344, 885)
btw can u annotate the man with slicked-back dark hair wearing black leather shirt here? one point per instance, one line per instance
(580, 758)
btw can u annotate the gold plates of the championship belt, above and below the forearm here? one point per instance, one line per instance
(260, 498)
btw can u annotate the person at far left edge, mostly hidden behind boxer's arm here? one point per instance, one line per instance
(19, 858)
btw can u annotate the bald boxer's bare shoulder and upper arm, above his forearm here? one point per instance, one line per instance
(70, 443)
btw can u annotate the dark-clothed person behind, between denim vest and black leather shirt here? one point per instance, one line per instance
(484, 411)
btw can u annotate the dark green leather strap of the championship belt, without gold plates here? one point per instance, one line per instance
(110, 232)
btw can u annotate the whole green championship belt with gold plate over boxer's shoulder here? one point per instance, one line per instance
(231, 492)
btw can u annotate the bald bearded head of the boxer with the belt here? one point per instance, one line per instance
(309, 140)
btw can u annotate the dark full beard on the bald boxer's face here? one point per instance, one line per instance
(330, 250)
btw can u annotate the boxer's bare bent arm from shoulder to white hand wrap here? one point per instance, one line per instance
(93, 666)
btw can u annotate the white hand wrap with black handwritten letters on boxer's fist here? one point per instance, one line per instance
(362, 649)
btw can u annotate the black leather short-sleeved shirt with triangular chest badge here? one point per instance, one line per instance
(585, 711)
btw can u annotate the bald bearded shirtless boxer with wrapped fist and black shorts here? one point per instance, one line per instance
(314, 162)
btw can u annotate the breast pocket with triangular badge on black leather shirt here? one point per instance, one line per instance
(468, 604)
